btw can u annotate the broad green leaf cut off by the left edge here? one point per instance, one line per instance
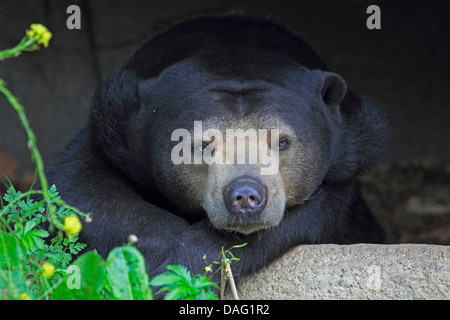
(12, 252)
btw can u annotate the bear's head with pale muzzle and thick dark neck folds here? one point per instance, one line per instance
(239, 133)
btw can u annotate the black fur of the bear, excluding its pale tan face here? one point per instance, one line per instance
(109, 168)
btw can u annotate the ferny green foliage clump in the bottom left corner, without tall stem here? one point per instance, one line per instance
(25, 257)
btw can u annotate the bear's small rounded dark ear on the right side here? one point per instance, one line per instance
(333, 87)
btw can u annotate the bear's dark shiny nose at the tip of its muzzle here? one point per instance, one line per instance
(245, 195)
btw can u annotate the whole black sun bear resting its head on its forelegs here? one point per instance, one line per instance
(247, 94)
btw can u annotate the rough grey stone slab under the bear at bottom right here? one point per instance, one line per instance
(362, 271)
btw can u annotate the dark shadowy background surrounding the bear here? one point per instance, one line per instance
(404, 67)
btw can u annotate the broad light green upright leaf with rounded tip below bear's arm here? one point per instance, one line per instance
(126, 274)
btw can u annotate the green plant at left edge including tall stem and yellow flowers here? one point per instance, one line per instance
(29, 266)
